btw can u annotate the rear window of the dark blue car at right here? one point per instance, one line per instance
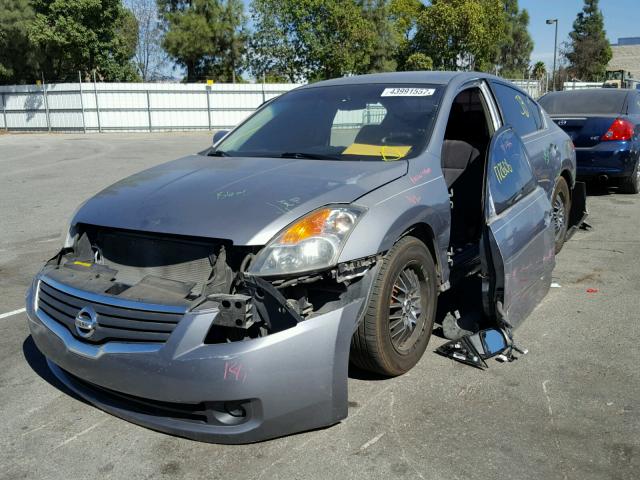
(584, 101)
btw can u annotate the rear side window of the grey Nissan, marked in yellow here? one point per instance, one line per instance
(518, 109)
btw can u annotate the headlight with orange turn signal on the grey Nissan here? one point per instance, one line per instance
(313, 242)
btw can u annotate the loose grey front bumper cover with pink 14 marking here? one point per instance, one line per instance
(286, 382)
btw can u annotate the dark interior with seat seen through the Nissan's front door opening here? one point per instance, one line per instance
(464, 150)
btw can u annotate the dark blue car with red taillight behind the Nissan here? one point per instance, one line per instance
(604, 125)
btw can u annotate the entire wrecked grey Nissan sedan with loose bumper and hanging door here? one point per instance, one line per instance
(222, 296)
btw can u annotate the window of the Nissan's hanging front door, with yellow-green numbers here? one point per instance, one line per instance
(510, 174)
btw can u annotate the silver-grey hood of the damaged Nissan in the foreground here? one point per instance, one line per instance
(245, 200)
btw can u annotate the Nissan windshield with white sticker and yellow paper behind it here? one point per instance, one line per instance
(382, 122)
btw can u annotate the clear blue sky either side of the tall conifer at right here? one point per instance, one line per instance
(621, 19)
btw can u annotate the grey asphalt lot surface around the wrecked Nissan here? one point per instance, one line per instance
(568, 410)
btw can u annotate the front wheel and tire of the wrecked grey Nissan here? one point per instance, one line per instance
(372, 347)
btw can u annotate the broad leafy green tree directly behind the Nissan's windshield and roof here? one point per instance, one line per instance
(312, 39)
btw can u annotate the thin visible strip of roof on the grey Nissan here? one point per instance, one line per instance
(430, 77)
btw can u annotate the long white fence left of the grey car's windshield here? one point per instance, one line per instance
(131, 106)
